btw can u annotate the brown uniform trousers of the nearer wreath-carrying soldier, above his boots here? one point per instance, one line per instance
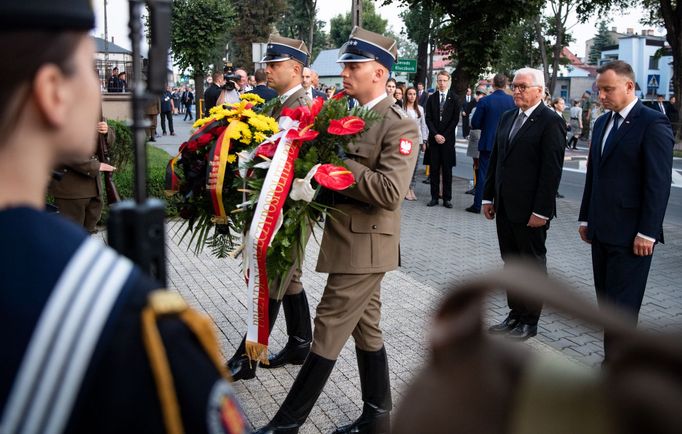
(350, 305)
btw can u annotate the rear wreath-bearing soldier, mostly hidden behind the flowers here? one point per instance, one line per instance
(285, 59)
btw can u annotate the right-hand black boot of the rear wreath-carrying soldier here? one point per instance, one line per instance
(297, 317)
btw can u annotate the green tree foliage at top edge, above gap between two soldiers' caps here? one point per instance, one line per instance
(300, 22)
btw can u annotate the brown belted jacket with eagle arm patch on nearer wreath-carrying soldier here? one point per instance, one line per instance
(363, 236)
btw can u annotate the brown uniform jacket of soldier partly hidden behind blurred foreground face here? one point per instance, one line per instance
(81, 179)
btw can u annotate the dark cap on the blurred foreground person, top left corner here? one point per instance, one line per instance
(46, 15)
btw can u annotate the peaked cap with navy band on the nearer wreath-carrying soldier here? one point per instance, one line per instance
(365, 46)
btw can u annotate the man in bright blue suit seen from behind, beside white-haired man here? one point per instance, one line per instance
(489, 109)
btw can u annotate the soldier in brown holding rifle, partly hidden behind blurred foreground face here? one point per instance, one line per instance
(78, 194)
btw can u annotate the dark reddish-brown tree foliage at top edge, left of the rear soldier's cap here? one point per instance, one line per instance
(254, 21)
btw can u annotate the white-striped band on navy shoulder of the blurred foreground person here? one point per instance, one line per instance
(65, 337)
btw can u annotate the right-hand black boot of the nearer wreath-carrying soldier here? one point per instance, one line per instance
(376, 394)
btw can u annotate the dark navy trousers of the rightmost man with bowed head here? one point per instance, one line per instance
(620, 277)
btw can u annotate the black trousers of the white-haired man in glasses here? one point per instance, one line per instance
(518, 241)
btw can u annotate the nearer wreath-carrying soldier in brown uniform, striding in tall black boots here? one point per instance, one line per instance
(360, 244)
